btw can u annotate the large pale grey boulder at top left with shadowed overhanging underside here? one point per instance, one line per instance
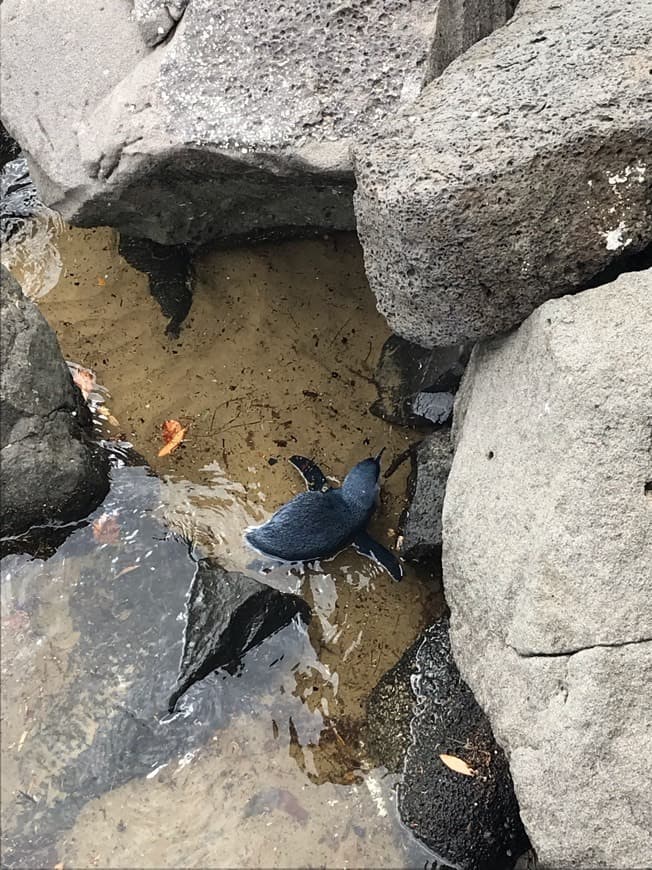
(239, 125)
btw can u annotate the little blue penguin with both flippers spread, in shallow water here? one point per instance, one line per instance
(323, 521)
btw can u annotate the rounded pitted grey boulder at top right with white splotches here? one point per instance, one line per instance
(518, 175)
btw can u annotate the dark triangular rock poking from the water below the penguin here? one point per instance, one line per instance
(227, 614)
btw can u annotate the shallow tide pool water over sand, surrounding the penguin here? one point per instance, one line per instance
(274, 360)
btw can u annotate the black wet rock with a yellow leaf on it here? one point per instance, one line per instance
(422, 709)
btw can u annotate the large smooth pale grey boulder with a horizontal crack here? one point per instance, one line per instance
(547, 559)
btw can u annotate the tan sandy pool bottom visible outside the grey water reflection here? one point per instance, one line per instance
(275, 358)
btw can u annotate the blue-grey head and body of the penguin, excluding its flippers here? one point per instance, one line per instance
(316, 525)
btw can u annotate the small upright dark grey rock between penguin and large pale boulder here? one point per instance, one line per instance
(422, 526)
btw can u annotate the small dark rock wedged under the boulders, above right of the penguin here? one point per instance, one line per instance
(415, 384)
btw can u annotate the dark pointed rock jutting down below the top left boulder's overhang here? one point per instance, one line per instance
(169, 269)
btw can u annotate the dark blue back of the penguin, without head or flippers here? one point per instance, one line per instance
(313, 525)
